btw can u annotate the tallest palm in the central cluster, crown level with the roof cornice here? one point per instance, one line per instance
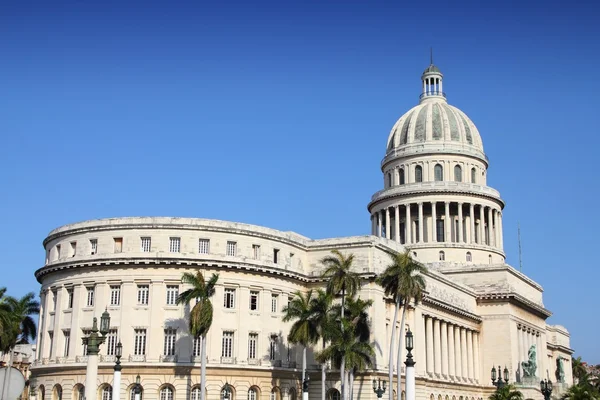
(341, 281)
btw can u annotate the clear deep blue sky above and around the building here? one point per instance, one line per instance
(277, 114)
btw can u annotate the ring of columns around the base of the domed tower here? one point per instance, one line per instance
(455, 222)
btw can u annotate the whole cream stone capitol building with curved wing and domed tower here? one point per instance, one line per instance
(478, 311)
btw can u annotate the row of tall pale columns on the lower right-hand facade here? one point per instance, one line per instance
(452, 351)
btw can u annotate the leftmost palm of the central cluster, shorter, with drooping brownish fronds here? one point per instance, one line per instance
(304, 331)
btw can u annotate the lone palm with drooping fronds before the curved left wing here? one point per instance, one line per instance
(201, 315)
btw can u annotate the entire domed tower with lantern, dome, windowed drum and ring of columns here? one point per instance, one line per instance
(435, 198)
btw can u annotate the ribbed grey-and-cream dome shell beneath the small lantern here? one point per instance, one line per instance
(435, 121)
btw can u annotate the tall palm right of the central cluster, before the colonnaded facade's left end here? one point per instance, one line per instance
(403, 281)
